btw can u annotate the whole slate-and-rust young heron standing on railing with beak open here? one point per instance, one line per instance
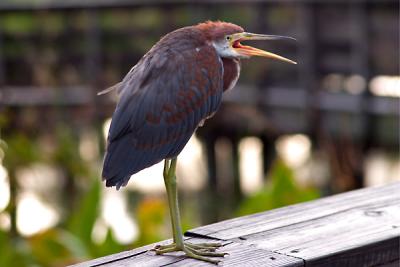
(173, 89)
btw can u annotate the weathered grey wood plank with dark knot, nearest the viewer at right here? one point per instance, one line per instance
(372, 234)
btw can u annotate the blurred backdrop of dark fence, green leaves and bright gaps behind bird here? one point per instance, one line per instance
(285, 134)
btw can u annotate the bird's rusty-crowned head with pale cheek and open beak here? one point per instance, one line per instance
(227, 37)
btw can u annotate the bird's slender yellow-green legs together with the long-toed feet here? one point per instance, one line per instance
(196, 251)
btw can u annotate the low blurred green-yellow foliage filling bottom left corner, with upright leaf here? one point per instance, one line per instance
(58, 246)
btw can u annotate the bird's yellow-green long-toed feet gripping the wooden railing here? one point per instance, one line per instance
(199, 251)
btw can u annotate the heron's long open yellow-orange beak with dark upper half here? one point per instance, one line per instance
(248, 51)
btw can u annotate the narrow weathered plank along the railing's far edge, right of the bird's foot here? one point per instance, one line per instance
(295, 214)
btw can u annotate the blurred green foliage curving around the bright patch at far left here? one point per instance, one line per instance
(71, 241)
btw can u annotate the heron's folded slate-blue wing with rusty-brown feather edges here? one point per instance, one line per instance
(161, 104)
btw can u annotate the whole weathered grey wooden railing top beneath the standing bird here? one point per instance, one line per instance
(358, 228)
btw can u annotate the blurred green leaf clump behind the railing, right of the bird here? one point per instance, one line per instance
(282, 190)
